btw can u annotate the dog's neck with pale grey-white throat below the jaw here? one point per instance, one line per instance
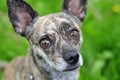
(48, 72)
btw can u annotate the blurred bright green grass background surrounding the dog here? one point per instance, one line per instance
(101, 34)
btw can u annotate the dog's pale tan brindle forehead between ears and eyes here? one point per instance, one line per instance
(52, 22)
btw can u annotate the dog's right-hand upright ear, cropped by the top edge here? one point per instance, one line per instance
(76, 8)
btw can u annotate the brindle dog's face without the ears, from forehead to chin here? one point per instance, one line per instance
(57, 38)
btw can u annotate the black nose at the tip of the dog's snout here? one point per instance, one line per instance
(71, 56)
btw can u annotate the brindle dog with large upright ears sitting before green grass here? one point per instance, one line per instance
(54, 40)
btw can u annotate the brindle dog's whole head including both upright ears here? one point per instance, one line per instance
(55, 39)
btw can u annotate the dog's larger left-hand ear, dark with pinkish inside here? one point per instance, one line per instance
(21, 15)
